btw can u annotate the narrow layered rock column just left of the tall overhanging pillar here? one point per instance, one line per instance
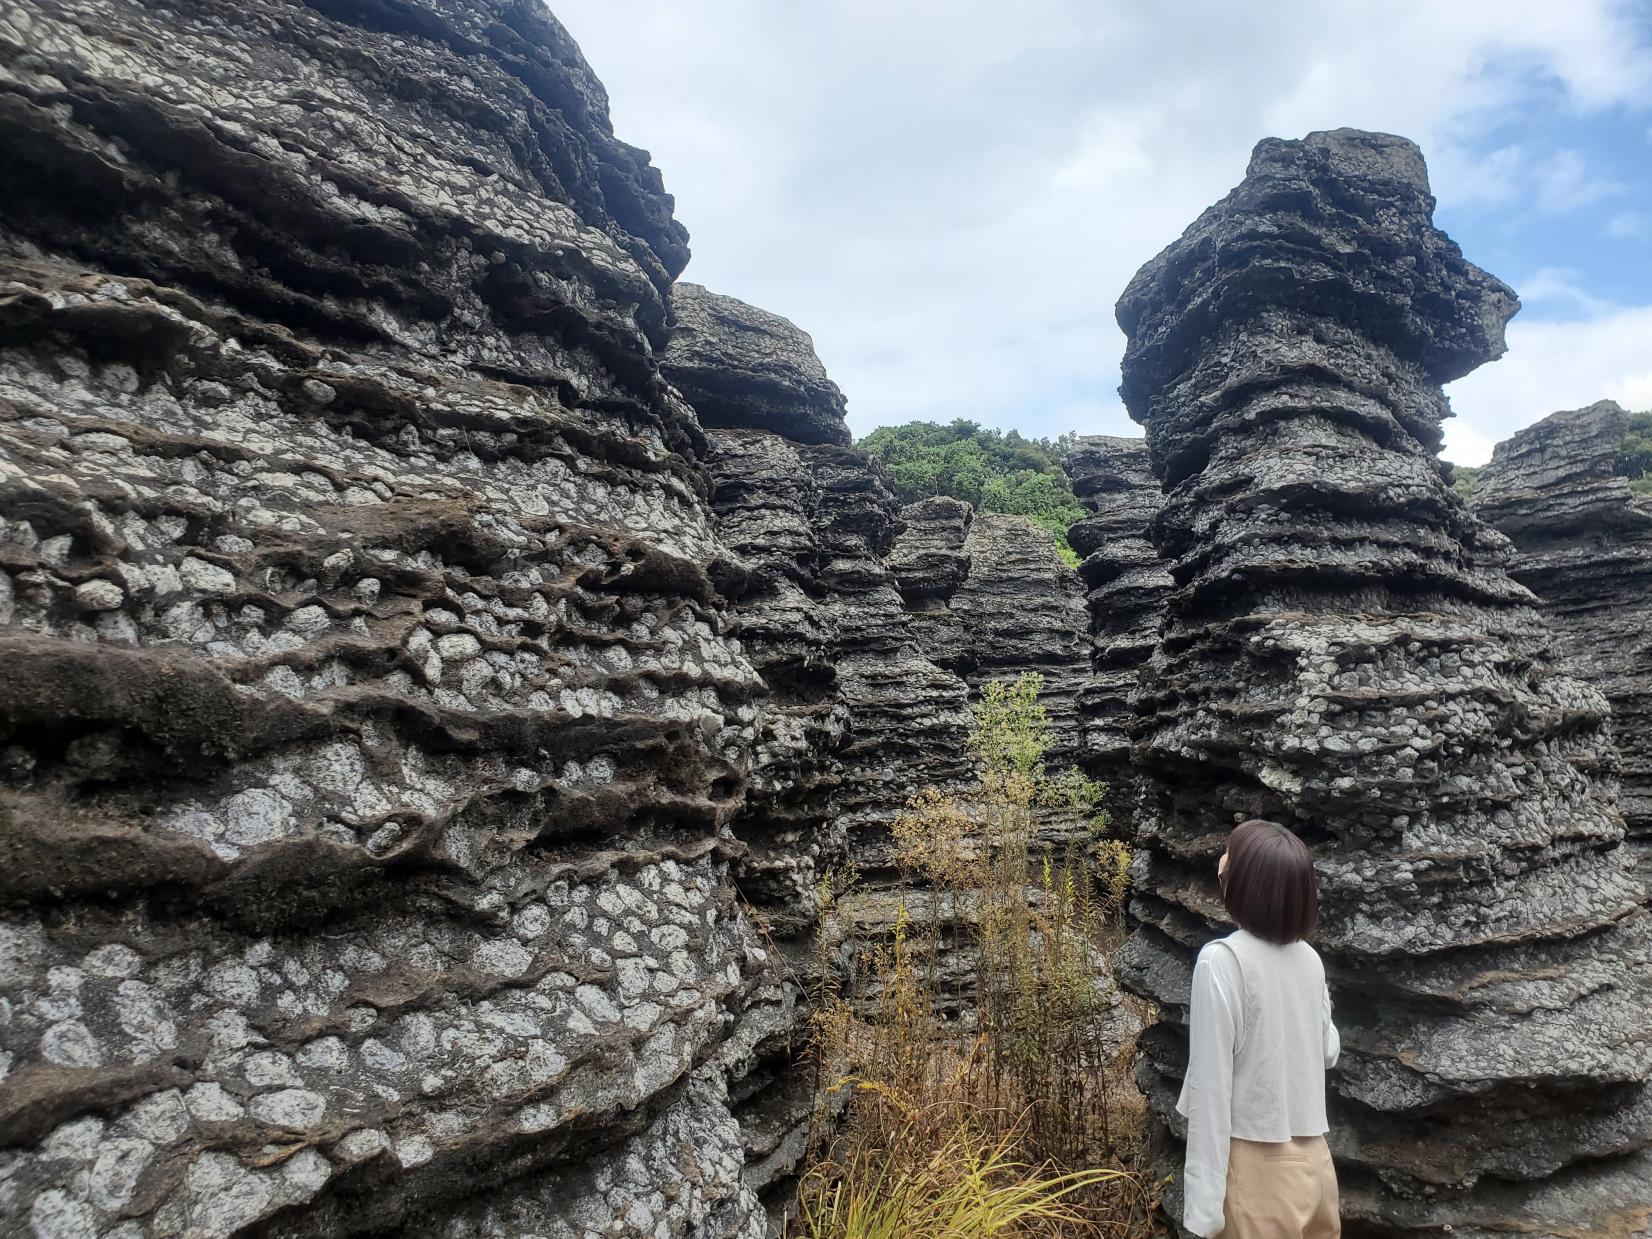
(1127, 586)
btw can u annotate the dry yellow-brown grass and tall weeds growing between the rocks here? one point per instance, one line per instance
(1020, 1119)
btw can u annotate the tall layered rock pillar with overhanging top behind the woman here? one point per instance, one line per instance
(1346, 652)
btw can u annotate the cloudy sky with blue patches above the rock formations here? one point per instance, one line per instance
(949, 196)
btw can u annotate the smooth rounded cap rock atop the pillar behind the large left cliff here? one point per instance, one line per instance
(743, 368)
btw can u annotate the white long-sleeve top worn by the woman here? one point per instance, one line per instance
(1261, 1038)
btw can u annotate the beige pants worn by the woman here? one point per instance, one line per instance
(1281, 1192)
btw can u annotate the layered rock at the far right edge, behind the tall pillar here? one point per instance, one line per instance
(1585, 548)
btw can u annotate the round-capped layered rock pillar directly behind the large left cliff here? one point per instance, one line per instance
(858, 718)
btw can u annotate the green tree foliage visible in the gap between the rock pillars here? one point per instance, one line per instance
(994, 470)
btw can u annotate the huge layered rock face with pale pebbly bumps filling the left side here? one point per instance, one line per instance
(371, 723)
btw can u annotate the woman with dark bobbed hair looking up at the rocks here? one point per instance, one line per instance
(1261, 1038)
